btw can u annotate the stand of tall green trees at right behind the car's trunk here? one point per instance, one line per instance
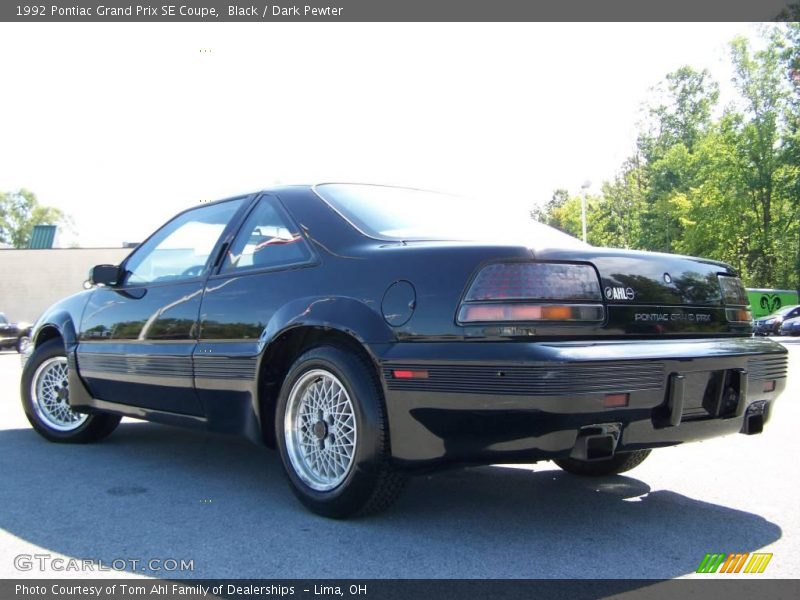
(725, 187)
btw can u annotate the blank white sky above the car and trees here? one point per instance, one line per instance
(122, 125)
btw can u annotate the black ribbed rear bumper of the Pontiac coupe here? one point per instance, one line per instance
(485, 402)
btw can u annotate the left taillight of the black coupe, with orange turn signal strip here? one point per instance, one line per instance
(531, 291)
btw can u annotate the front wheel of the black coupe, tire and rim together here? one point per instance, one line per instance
(45, 399)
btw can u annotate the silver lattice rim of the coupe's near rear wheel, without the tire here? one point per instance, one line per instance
(320, 430)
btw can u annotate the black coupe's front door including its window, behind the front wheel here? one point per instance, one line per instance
(137, 337)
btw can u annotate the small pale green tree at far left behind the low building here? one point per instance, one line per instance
(19, 212)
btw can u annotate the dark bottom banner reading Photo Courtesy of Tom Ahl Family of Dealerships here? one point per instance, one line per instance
(402, 589)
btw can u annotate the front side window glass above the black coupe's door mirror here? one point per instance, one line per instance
(181, 249)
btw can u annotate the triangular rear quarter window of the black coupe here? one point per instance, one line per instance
(267, 239)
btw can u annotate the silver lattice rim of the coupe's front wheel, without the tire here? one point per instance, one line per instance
(50, 393)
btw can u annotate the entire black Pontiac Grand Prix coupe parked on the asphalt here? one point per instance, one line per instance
(369, 331)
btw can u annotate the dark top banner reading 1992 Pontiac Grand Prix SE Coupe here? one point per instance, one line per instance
(399, 10)
